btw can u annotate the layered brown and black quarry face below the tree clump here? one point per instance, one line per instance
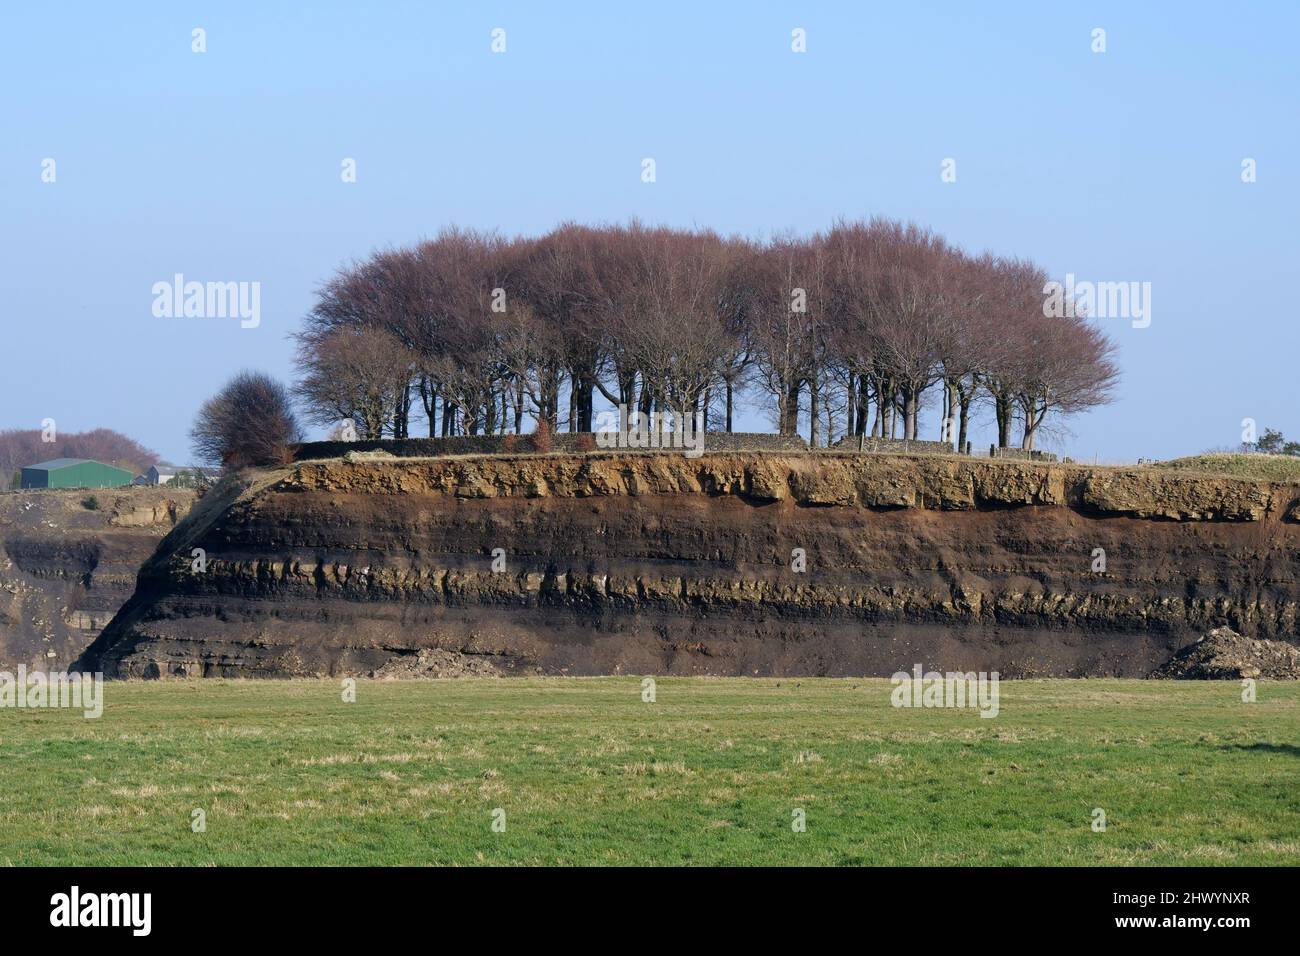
(656, 564)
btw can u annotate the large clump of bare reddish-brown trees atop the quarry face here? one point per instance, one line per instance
(848, 331)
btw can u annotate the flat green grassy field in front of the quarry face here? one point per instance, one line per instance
(710, 773)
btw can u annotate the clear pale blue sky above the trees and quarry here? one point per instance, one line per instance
(226, 166)
